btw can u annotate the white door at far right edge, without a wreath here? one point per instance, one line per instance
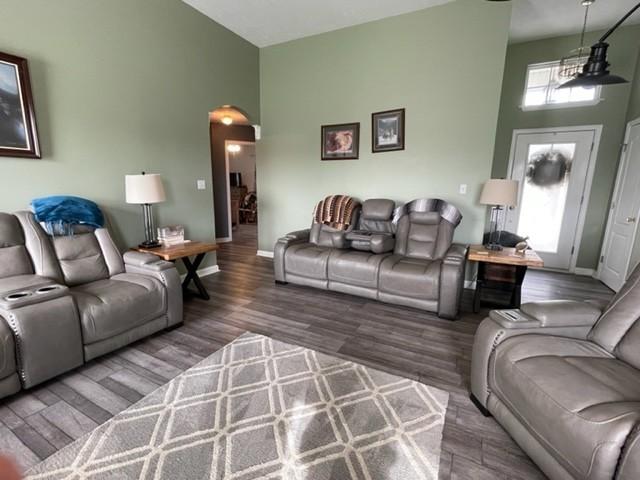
(623, 218)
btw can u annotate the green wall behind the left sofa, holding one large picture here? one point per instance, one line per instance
(122, 86)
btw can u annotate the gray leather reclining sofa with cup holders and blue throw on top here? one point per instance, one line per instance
(65, 300)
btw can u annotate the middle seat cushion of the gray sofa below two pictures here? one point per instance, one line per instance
(355, 268)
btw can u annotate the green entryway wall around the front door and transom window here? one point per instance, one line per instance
(611, 113)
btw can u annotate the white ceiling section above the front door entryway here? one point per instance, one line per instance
(534, 19)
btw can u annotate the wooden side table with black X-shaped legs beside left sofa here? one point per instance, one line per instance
(183, 251)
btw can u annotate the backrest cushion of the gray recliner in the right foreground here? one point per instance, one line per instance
(618, 329)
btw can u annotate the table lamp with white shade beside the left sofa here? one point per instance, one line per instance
(145, 190)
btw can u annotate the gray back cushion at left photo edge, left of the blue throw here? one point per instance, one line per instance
(14, 259)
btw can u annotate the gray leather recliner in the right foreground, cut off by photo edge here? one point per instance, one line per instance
(563, 378)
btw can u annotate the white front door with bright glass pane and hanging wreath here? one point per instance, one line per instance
(553, 168)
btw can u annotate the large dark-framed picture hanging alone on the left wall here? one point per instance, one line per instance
(18, 131)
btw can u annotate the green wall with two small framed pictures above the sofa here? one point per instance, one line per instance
(443, 64)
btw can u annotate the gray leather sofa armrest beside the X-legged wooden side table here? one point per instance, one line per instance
(150, 265)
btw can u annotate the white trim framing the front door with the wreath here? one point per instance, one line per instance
(593, 158)
